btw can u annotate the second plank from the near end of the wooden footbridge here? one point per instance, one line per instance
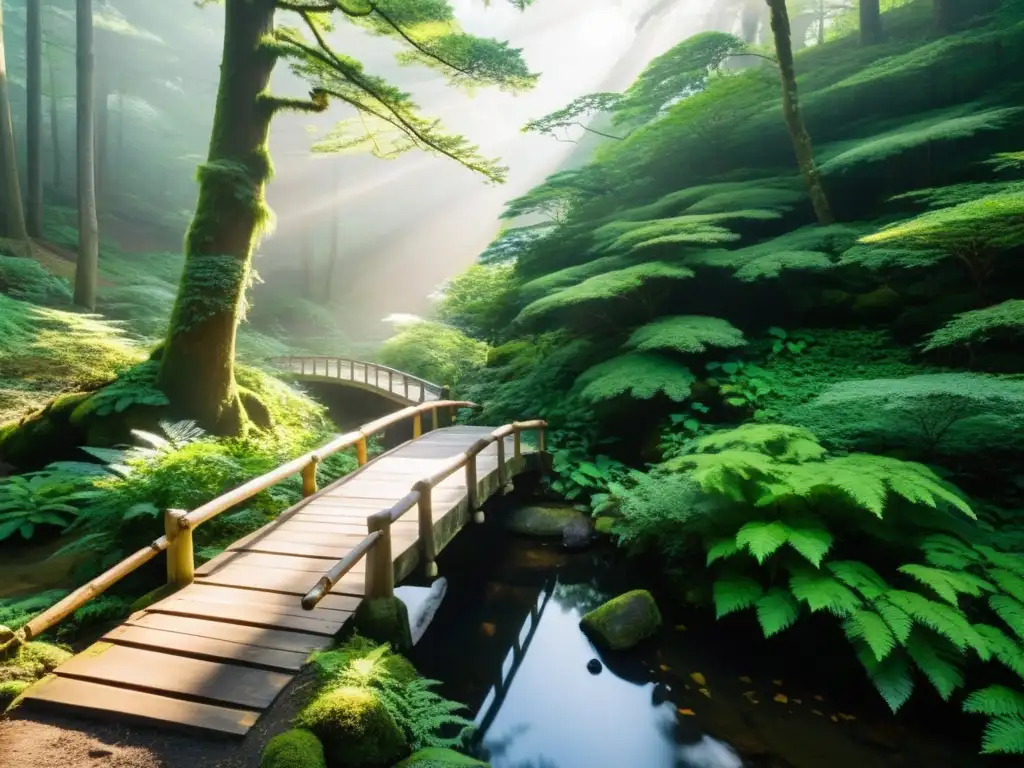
(164, 673)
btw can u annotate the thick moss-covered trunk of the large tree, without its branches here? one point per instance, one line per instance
(197, 371)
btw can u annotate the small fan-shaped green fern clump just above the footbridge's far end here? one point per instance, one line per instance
(642, 375)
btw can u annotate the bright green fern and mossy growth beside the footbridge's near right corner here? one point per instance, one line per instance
(409, 700)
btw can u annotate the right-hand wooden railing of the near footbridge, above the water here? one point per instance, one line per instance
(376, 546)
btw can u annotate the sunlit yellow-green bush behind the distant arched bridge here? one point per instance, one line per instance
(434, 352)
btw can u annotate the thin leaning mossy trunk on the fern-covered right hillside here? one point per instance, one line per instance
(794, 117)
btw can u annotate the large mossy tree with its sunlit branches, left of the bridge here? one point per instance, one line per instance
(197, 371)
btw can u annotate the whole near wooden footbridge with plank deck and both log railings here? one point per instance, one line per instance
(224, 641)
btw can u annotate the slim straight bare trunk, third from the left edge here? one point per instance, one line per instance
(89, 228)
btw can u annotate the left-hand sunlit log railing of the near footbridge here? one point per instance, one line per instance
(180, 525)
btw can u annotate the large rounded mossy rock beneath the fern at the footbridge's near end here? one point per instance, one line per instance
(355, 728)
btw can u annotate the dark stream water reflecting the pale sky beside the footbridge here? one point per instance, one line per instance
(506, 642)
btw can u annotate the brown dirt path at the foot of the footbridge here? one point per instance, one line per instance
(35, 740)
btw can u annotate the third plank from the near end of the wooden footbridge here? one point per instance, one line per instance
(211, 650)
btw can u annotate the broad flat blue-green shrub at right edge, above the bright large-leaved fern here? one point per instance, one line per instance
(953, 414)
